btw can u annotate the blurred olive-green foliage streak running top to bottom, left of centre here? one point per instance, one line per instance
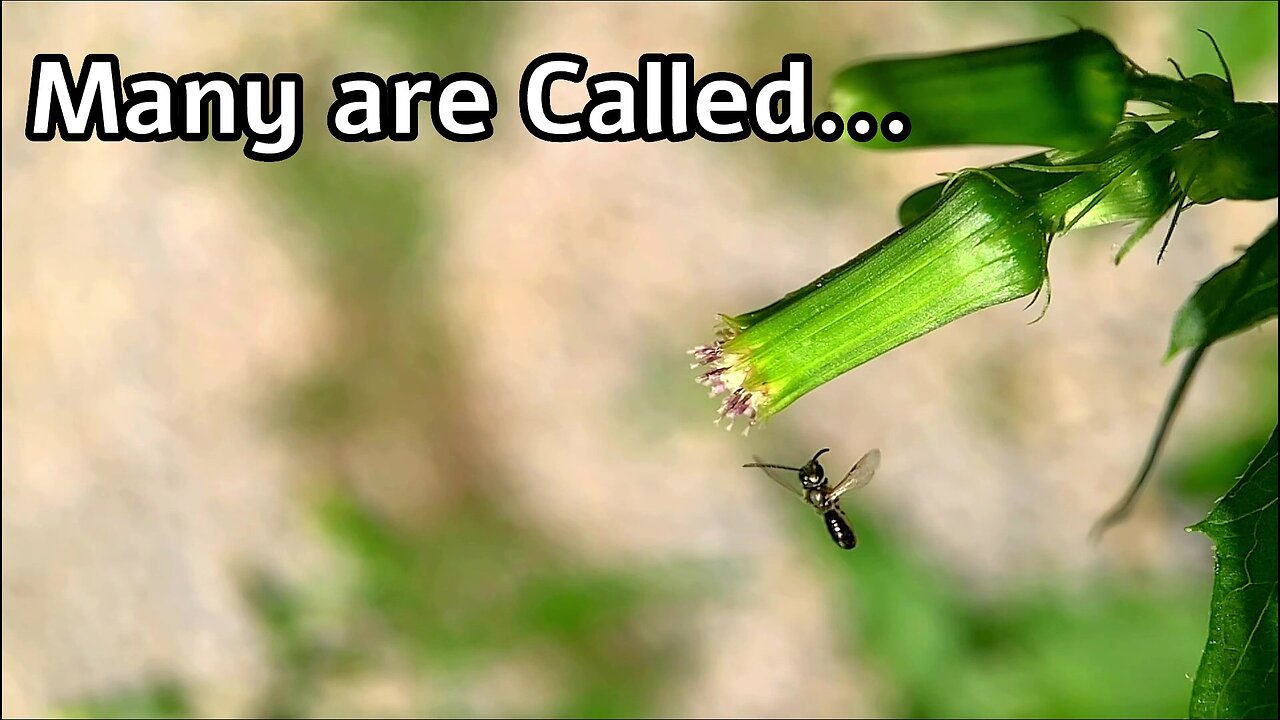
(467, 590)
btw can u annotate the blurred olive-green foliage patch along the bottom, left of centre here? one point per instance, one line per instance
(458, 599)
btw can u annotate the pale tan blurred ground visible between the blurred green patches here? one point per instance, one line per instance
(153, 300)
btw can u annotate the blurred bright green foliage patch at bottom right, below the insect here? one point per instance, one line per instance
(1118, 648)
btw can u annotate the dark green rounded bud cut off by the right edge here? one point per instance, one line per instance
(1238, 163)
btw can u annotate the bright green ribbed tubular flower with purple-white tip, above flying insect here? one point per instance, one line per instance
(982, 245)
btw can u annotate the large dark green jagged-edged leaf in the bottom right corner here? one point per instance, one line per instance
(1237, 677)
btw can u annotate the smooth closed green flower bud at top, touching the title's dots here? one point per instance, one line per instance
(1067, 93)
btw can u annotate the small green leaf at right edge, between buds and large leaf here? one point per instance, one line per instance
(1235, 299)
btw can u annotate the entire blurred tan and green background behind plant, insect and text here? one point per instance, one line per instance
(409, 429)
